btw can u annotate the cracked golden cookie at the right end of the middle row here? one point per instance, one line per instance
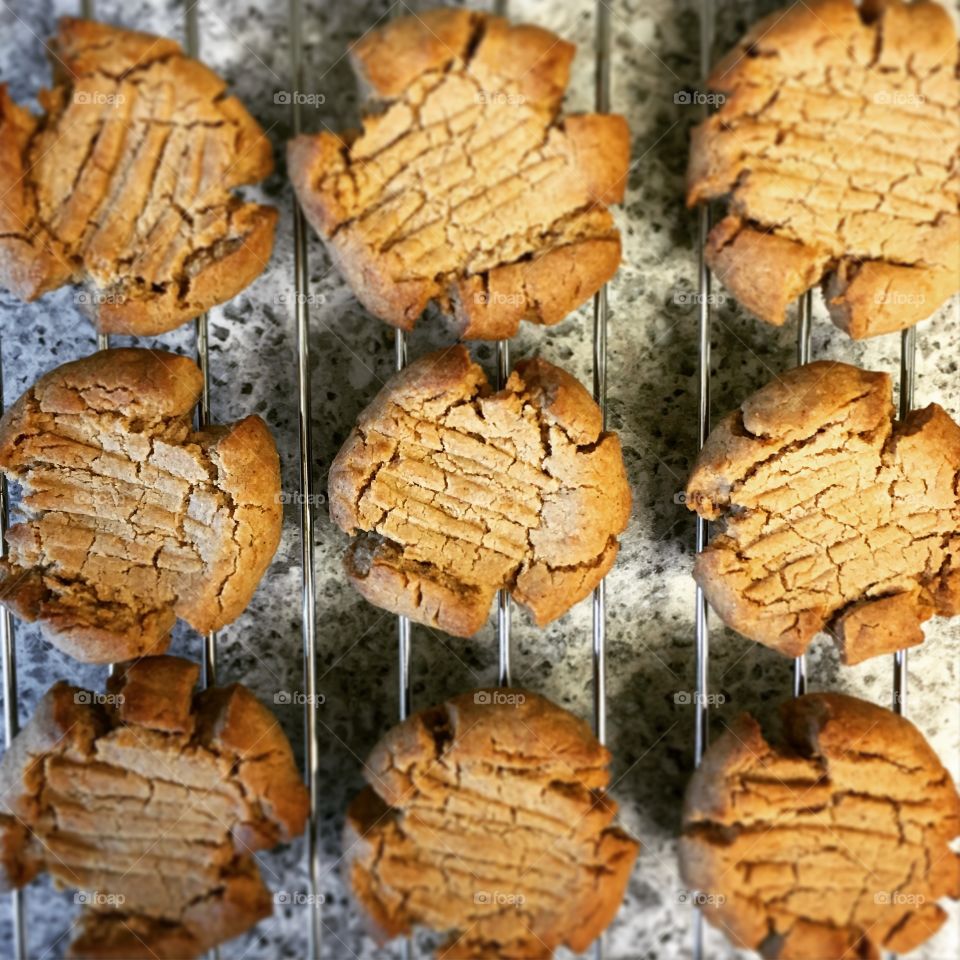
(836, 516)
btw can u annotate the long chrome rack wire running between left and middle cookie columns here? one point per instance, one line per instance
(307, 501)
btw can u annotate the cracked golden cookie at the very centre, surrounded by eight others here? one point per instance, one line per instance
(458, 492)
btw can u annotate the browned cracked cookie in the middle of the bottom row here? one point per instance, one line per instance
(487, 818)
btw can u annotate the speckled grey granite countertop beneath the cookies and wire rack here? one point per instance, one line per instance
(652, 403)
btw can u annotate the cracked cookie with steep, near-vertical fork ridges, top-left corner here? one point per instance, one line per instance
(125, 183)
